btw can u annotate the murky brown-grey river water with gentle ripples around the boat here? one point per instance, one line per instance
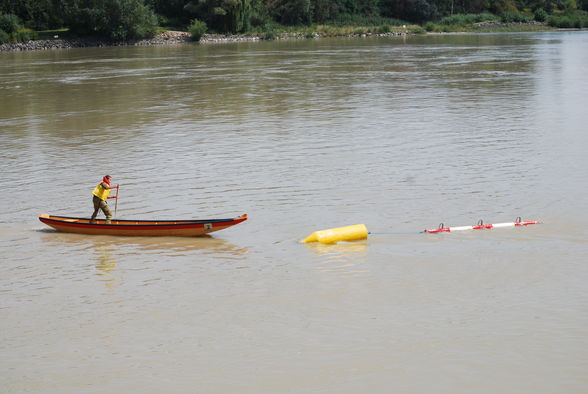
(397, 133)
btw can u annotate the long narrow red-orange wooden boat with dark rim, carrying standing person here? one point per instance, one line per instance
(147, 228)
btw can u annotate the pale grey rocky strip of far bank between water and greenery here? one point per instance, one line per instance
(167, 38)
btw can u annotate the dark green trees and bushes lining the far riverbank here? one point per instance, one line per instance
(131, 19)
